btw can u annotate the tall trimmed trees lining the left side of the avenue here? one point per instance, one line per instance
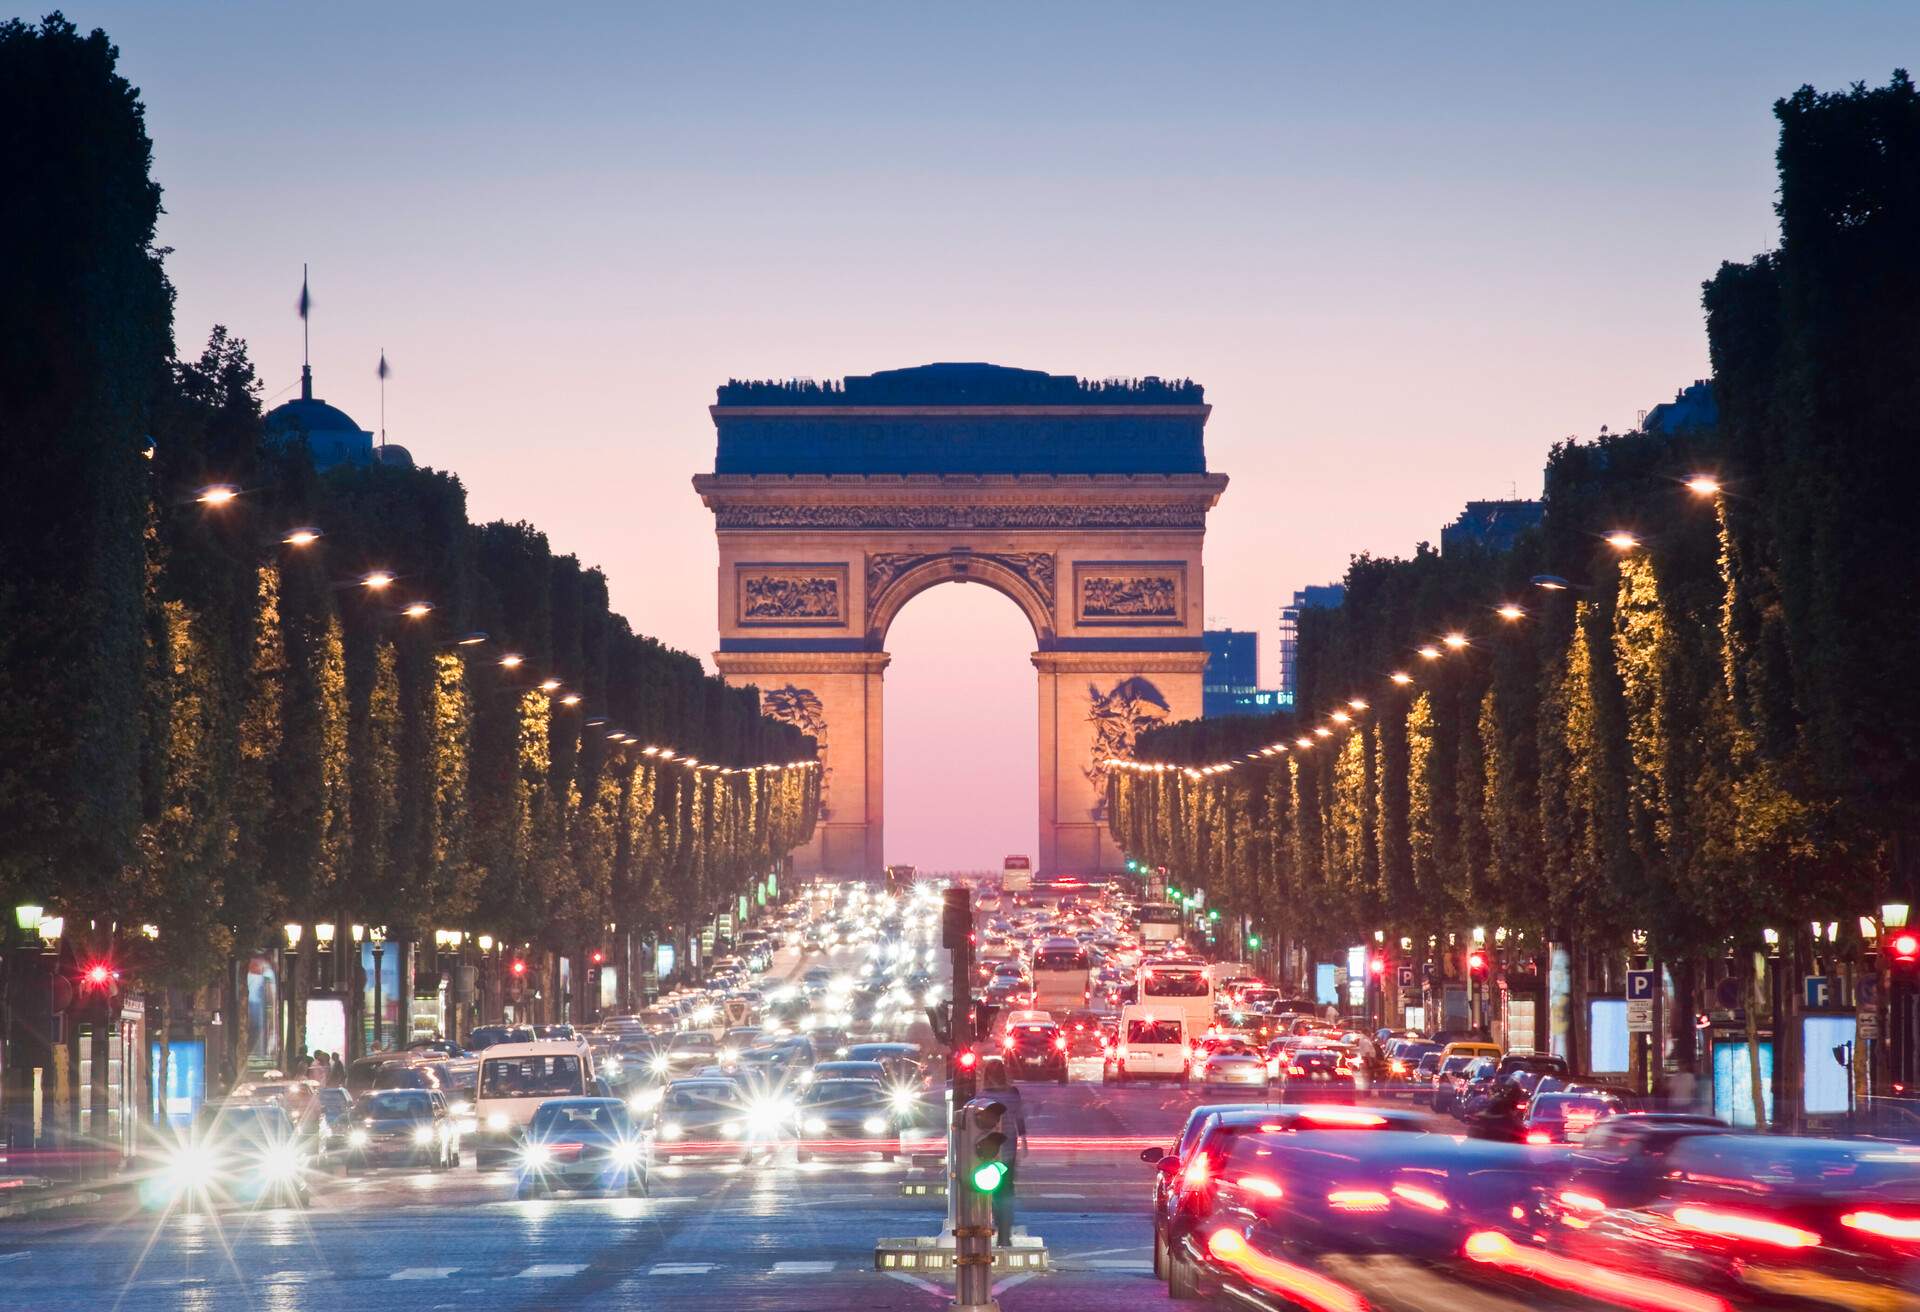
(214, 725)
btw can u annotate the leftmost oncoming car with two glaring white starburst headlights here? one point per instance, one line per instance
(235, 1154)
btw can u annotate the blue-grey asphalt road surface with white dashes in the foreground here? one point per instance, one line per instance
(777, 1236)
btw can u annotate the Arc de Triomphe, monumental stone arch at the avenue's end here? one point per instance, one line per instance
(1082, 502)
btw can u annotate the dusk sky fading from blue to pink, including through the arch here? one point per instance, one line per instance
(1403, 247)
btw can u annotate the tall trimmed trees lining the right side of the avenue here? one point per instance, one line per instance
(1714, 729)
